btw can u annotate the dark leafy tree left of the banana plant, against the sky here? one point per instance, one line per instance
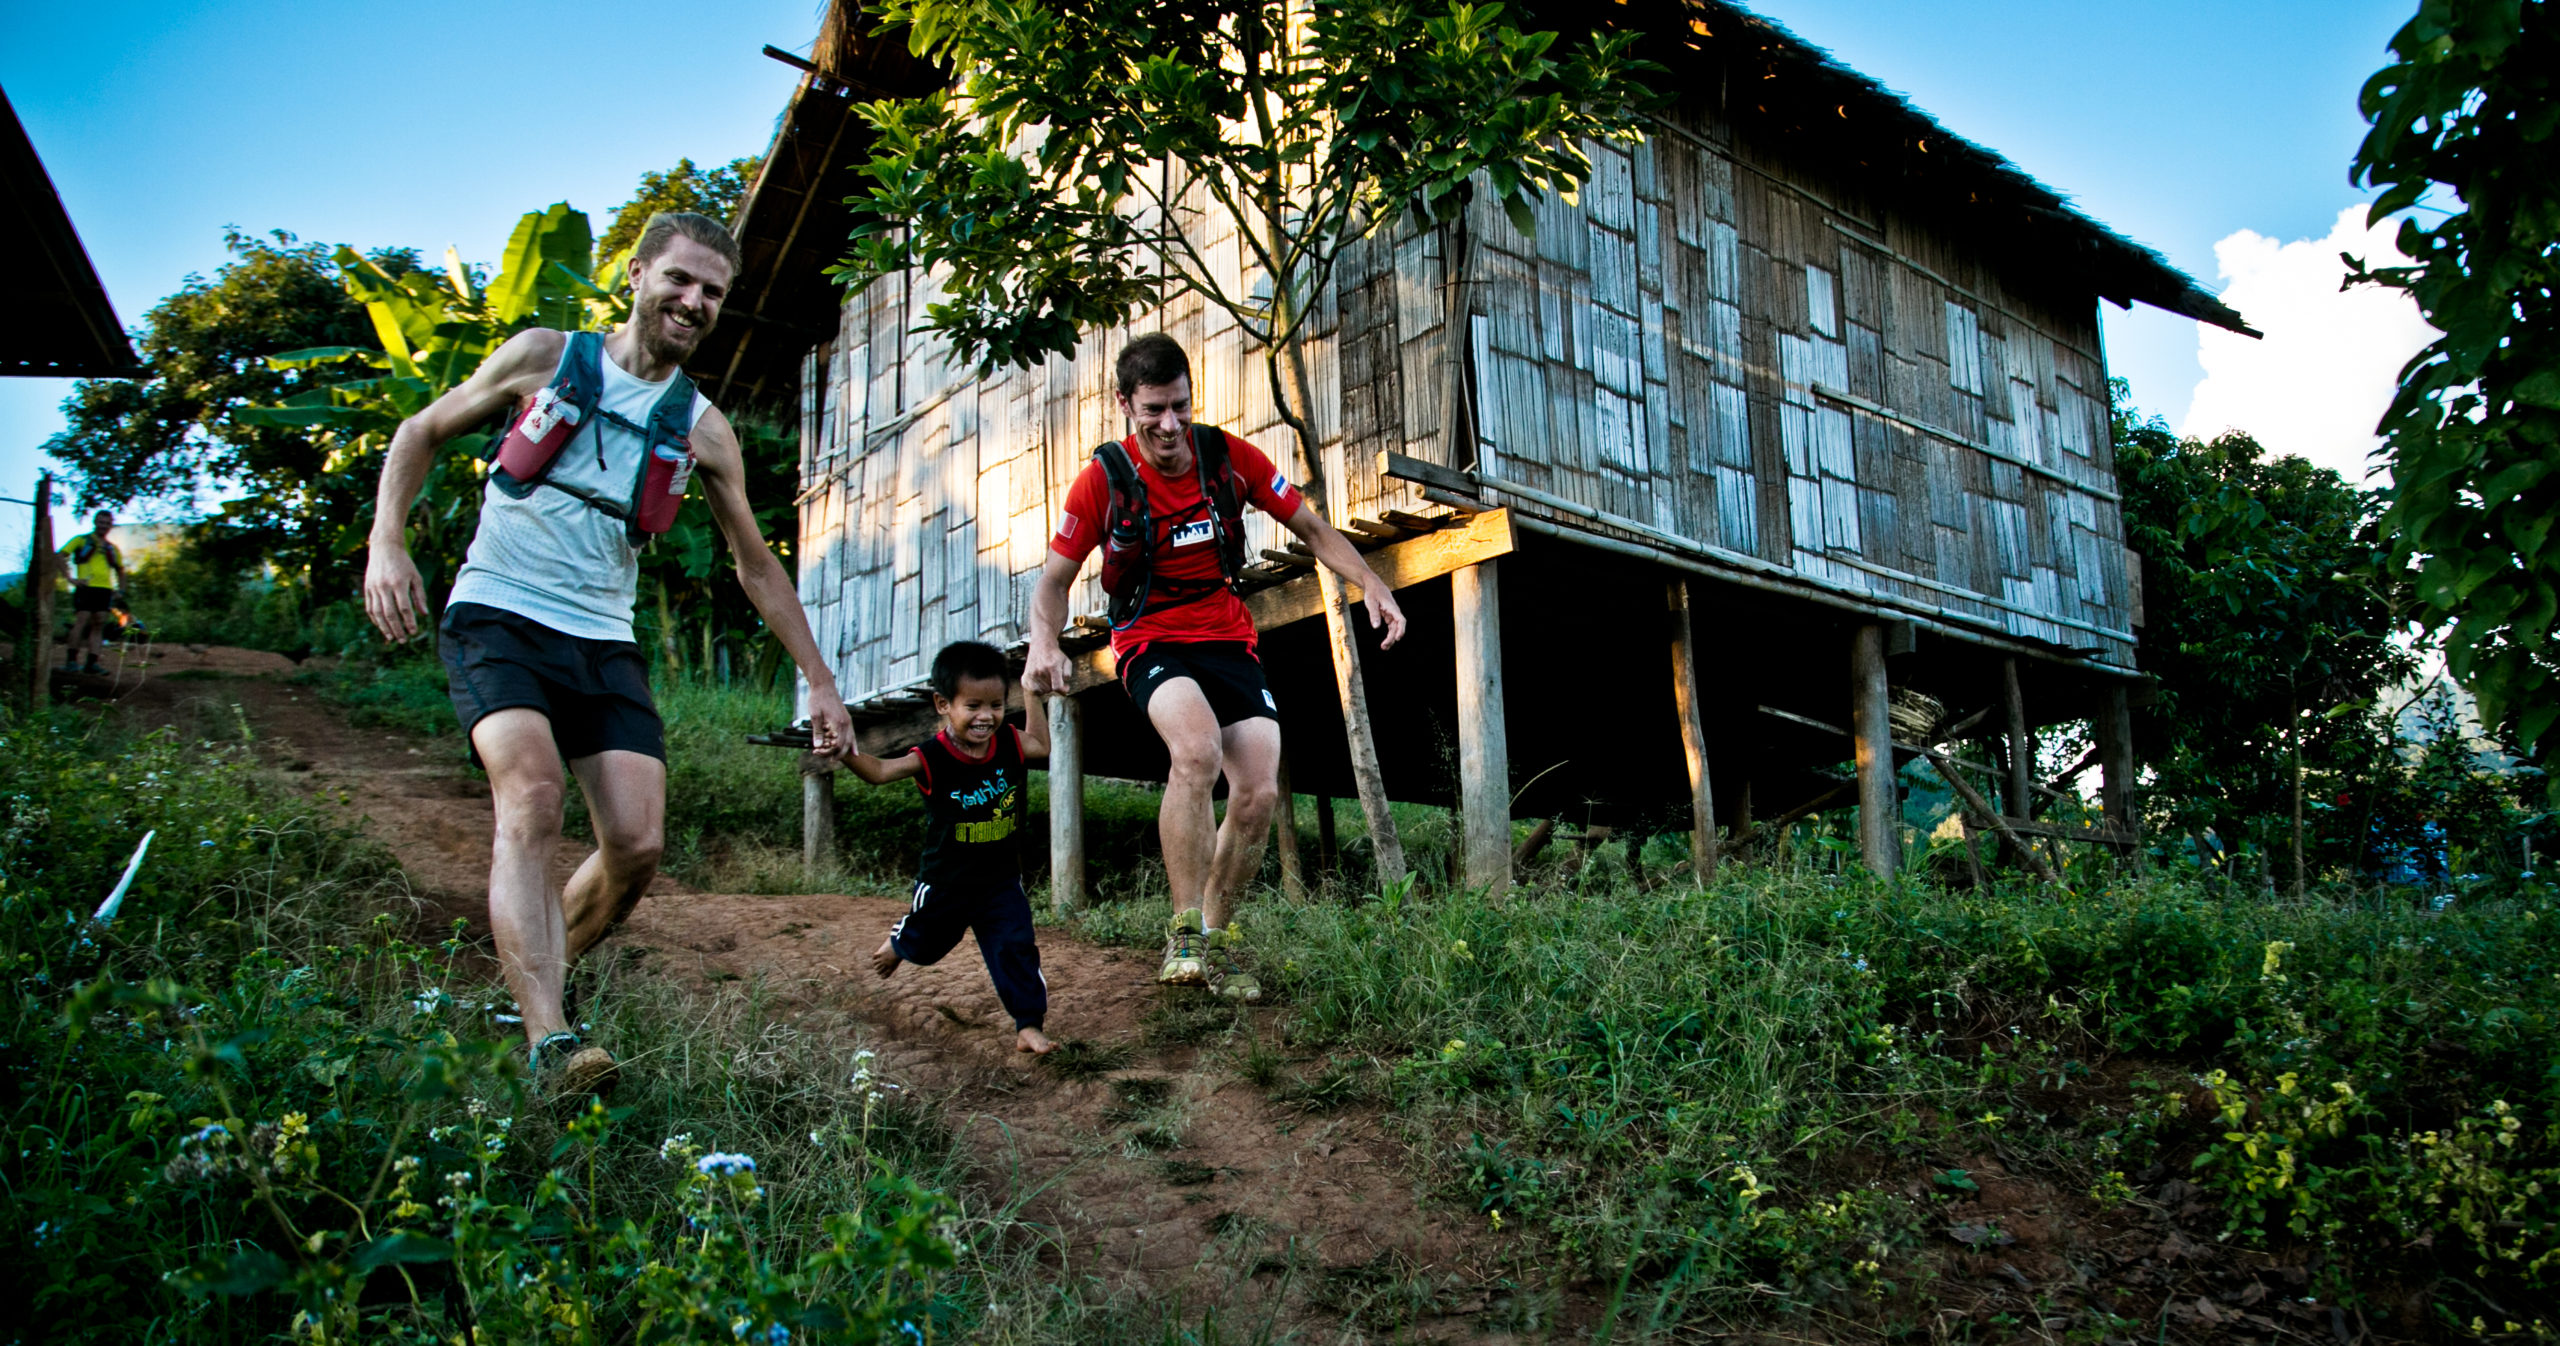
(170, 436)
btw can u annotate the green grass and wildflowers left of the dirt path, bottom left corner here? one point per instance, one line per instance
(262, 1107)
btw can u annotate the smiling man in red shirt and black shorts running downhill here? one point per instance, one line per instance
(1184, 641)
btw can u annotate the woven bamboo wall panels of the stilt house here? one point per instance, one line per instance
(1714, 342)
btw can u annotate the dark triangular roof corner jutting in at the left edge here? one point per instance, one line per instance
(65, 324)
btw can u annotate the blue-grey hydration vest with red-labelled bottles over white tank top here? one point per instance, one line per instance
(554, 416)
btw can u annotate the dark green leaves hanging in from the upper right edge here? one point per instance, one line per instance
(2469, 119)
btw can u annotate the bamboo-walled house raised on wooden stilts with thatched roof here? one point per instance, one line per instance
(1791, 426)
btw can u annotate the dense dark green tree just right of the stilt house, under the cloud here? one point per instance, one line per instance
(2269, 623)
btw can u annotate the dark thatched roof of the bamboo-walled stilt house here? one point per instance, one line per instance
(1752, 73)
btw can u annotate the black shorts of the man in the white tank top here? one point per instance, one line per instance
(595, 692)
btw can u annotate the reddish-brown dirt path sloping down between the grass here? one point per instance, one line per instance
(1169, 1176)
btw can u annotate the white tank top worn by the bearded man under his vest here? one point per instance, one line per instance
(552, 557)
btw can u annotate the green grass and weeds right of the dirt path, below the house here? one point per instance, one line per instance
(1686, 1086)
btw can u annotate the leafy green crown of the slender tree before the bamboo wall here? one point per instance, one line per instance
(1033, 183)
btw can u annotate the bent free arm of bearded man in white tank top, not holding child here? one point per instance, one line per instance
(393, 592)
